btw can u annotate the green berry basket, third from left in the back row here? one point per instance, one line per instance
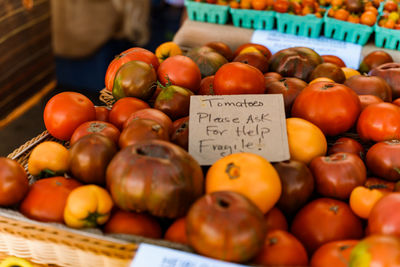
(307, 26)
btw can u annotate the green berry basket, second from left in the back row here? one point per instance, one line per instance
(253, 19)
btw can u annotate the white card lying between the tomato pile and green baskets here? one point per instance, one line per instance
(350, 53)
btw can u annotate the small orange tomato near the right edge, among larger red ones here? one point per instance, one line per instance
(362, 199)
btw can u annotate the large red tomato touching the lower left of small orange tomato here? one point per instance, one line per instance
(324, 220)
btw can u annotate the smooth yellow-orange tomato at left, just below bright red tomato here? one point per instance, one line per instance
(48, 159)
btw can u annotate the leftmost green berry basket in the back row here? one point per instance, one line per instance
(205, 12)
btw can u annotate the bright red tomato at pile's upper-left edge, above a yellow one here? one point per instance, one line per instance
(65, 111)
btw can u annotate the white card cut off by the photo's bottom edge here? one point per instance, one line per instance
(155, 256)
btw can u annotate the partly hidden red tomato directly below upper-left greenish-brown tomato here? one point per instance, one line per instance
(123, 108)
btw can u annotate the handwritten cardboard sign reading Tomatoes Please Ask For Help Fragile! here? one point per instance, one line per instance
(227, 124)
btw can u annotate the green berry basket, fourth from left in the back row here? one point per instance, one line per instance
(346, 31)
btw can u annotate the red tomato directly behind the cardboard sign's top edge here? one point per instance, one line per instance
(238, 78)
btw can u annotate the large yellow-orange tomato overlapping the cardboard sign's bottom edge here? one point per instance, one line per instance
(246, 173)
